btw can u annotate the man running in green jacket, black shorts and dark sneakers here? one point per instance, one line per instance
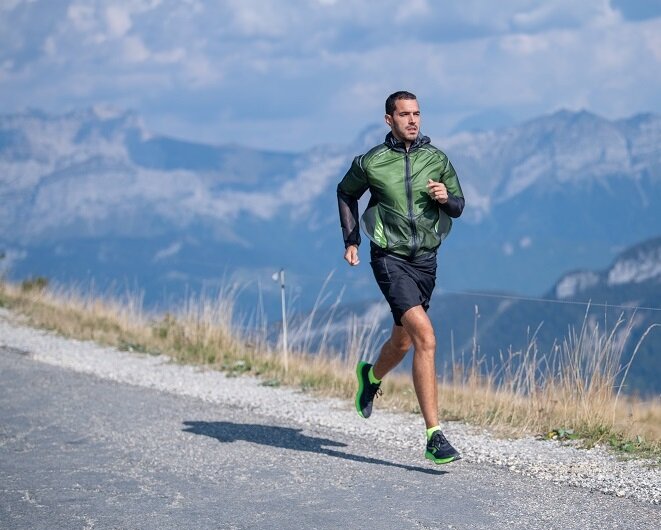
(414, 194)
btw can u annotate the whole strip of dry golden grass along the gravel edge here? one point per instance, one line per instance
(570, 391)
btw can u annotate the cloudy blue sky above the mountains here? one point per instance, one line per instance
(290, 75)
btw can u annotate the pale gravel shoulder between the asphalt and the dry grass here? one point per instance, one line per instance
(595, 469)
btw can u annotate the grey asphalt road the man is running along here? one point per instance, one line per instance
(77, 451)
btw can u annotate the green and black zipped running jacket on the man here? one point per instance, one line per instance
(401, 217)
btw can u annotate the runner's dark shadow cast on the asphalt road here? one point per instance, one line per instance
(286, 438)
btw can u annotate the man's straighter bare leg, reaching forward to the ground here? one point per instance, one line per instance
(419, 328)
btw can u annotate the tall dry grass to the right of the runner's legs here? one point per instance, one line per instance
(576, 386)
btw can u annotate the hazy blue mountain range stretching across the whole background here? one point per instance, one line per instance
(93, 196)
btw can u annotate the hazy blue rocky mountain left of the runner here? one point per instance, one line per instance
(92, 194)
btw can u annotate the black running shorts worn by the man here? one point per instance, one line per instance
(404, 283)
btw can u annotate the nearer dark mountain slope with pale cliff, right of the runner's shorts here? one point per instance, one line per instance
(630, 288)
